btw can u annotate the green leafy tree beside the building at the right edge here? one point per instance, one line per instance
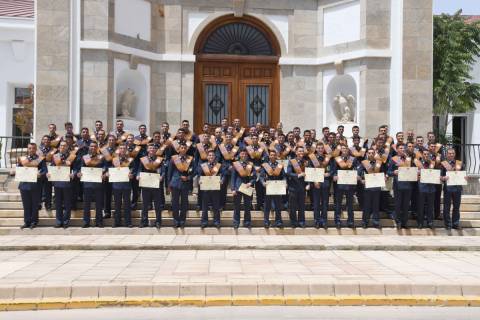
(456, 45)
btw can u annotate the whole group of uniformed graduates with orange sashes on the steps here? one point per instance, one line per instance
(242, 157)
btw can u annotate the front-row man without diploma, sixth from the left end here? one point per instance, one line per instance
(180, 176)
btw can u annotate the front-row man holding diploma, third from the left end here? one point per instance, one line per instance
(92, 190)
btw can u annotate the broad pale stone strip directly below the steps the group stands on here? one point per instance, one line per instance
(239, 242)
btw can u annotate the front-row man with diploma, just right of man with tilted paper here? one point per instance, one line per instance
(272, 170)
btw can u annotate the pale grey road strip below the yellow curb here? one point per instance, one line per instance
(254, 313)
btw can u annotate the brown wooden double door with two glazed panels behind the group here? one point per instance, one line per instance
(246, 90)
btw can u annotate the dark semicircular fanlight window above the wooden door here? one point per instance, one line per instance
(238, 38)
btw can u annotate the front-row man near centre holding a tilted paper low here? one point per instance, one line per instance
(243, 173)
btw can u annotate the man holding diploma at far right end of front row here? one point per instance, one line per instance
(451, 193)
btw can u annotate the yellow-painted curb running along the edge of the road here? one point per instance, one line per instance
(346, 300)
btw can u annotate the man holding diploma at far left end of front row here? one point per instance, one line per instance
(31, 191)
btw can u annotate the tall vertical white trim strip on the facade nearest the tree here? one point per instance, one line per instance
(396, 70)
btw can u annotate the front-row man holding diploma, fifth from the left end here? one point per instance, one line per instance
(153, 164)
